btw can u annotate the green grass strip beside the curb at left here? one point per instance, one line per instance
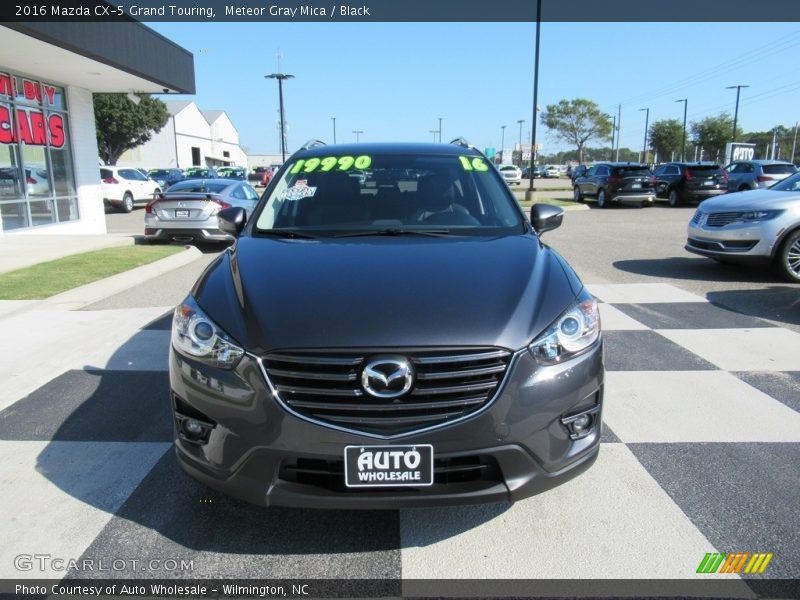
(47, 279)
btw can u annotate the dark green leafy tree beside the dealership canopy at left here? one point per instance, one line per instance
(121, 124)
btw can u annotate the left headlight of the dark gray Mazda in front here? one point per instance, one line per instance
(196, 335)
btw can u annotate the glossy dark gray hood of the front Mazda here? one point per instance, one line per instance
(273, 294)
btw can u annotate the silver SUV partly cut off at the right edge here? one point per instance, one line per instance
(756, 226)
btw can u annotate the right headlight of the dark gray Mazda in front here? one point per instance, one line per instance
(574, 331)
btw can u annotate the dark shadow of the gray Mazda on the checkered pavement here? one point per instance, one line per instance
(120, 460)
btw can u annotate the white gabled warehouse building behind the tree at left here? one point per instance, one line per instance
(191, 137)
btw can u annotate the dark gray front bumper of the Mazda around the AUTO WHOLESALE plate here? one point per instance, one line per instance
(513, 448)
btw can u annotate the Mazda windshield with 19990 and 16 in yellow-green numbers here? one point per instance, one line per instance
(337, 194)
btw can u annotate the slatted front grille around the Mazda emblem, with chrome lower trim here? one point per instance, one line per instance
(325, 386)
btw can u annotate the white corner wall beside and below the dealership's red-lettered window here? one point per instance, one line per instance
(87, 172)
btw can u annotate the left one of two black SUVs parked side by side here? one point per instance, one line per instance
(623, 183)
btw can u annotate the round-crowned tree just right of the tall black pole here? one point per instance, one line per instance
(577, 122)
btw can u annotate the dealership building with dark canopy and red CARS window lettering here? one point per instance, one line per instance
(49, 177)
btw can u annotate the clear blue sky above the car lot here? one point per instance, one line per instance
(393, 80)
